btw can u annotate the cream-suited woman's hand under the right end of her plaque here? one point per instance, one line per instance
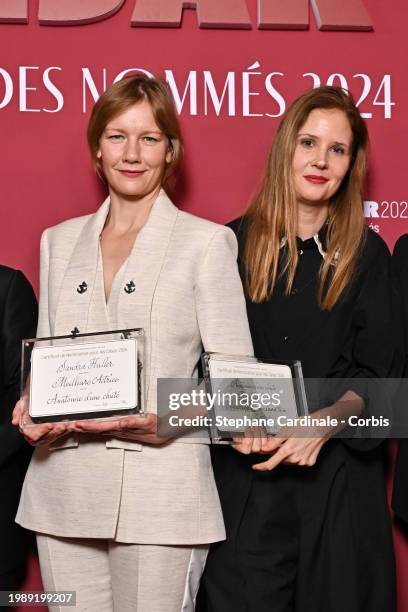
(138, 428)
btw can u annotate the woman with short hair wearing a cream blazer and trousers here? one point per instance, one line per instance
(121, 518)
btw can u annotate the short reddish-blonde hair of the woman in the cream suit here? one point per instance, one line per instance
(125, 93)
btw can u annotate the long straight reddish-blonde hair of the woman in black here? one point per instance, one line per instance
(272, 215)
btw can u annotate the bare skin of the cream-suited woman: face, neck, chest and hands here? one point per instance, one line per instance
(133, 153)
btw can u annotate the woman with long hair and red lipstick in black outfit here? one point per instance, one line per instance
(308, 526)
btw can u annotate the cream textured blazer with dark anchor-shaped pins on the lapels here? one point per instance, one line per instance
(187, 295)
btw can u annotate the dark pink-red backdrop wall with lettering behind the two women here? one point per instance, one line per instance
(49, 75)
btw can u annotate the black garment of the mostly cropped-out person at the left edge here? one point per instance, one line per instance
(18, 320)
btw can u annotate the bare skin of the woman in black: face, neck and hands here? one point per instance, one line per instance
(321, 161)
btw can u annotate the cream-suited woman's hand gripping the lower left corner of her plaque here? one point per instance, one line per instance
(42, 434)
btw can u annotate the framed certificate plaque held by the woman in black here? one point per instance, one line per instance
(251, 395)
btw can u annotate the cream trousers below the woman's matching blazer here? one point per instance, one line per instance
(110, 576)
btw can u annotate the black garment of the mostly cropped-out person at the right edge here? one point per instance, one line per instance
(400, 491)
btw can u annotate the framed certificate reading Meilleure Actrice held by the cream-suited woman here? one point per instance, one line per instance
(83, 376)
